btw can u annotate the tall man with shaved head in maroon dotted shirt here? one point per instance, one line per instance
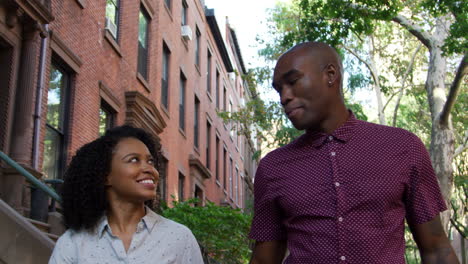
(340, 193)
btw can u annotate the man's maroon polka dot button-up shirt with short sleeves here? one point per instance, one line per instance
(343, 198)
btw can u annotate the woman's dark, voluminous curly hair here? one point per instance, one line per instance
(84, 192)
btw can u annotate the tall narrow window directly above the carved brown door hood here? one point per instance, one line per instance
(143, 21)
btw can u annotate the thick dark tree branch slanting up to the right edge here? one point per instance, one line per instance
(454, 88)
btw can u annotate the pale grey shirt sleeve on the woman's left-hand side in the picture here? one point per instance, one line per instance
(64, 251)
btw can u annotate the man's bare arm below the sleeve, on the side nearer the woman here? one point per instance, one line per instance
(268, 252)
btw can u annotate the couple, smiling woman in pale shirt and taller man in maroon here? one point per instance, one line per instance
(338, 194)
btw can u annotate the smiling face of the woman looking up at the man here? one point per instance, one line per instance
(133, 176)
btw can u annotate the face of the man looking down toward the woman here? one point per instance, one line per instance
(302, 85)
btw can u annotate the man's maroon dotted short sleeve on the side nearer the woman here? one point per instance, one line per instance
(267, 222)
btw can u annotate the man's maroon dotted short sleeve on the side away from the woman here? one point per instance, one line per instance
(424, 199)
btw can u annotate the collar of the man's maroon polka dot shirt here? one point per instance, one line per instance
(342, 133)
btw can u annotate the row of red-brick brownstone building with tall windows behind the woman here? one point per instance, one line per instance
(70, 69)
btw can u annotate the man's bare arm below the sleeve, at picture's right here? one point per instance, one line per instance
(433, 244)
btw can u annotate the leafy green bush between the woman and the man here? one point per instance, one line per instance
(221, 231)
